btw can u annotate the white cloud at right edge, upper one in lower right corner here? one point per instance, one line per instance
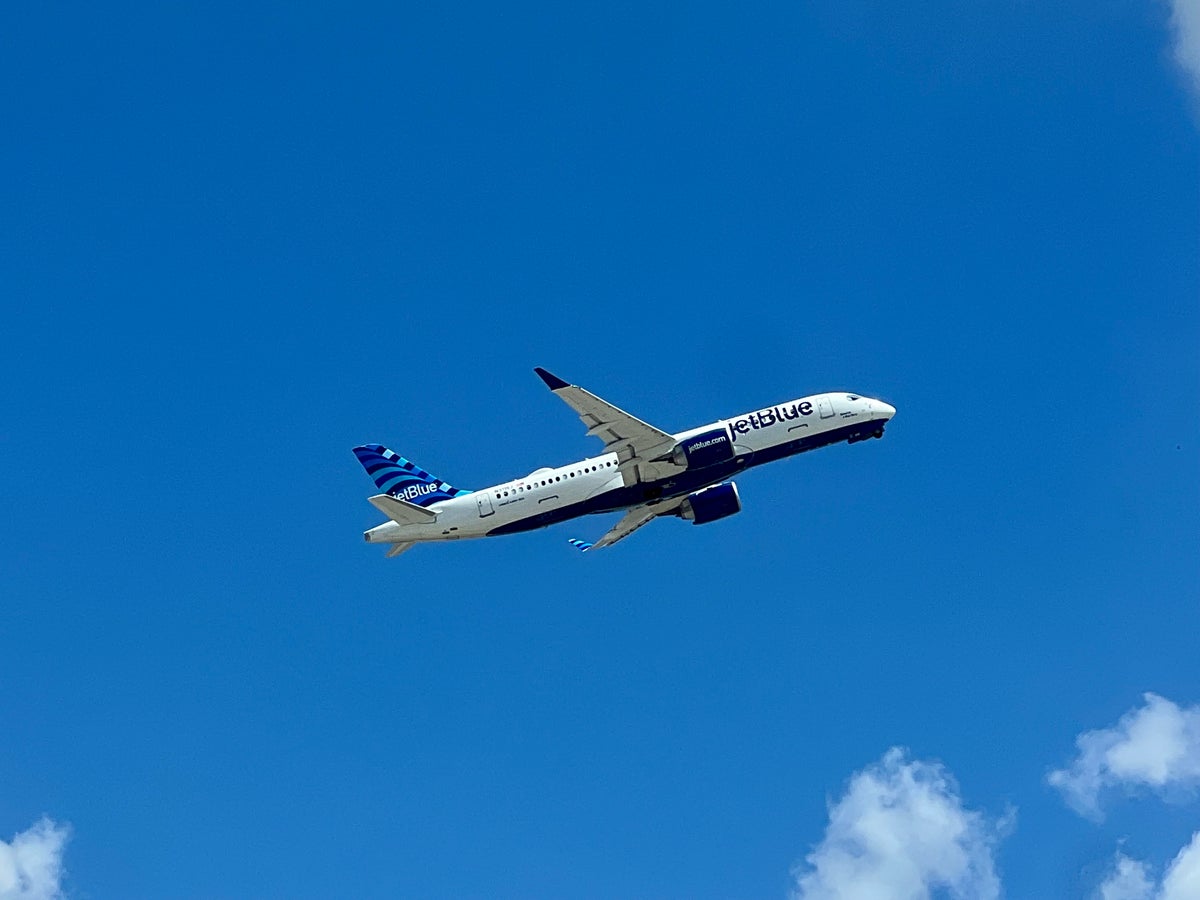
(1155, 747)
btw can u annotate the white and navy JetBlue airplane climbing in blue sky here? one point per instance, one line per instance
(644, 472)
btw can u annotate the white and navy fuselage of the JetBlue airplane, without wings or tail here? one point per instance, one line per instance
(598, 484)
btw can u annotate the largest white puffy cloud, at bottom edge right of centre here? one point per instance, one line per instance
(901, 833)
